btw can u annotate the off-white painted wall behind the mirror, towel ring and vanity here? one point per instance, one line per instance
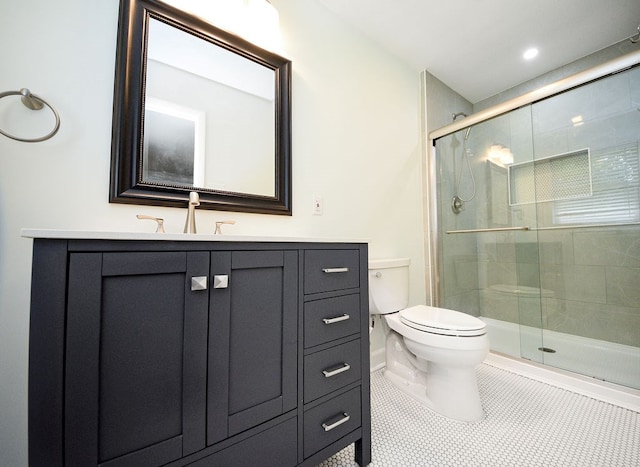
(356, 143)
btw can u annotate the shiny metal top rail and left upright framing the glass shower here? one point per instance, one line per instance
(600, 71)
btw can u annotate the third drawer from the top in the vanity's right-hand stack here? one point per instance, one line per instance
(331, 369)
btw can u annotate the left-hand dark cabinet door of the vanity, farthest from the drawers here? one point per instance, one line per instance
(135, 387)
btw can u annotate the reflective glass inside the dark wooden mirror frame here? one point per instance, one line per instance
(222, 142)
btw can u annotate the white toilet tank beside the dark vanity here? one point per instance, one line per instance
(388, 285)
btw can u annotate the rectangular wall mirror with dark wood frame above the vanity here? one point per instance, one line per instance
(198, 109)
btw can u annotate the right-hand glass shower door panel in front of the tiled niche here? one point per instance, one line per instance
(586, 145)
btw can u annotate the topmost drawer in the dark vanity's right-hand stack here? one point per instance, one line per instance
(327, 270)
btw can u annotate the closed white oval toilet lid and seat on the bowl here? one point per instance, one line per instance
(442, 321)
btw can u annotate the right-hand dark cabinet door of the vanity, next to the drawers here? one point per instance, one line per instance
(252, 340)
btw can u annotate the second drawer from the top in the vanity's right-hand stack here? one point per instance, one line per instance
(330, 319)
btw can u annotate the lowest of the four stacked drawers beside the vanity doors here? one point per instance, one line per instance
(330, 421)
